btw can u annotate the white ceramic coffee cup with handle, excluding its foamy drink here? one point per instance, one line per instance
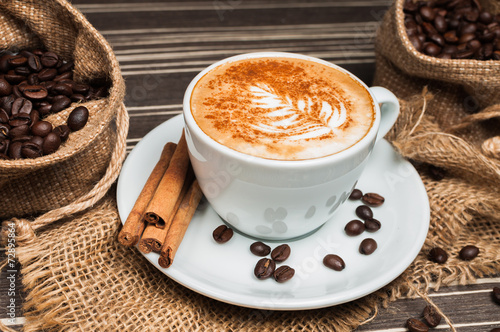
(279, 199)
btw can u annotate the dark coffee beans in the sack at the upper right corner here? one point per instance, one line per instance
(453, 29)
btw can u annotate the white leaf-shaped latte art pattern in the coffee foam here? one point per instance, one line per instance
(295, 119)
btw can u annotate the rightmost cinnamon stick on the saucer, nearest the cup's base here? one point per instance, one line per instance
(180, 224)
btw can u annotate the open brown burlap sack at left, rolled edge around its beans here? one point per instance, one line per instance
(73, 173)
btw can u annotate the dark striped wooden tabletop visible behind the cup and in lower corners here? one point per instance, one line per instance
(162, 45)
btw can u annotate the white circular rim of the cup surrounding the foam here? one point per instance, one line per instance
(190, 122)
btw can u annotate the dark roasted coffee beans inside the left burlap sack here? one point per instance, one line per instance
(34, 84)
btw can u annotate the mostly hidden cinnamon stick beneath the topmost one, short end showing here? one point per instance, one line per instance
(153, 236)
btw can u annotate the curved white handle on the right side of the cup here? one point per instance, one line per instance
(389, 109)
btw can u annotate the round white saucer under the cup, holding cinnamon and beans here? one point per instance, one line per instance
(225, 271)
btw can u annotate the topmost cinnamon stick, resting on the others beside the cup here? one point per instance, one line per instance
(162, 205)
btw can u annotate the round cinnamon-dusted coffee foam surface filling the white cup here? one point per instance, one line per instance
(282, 108)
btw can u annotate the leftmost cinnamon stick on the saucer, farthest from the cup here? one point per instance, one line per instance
(134, 225)
